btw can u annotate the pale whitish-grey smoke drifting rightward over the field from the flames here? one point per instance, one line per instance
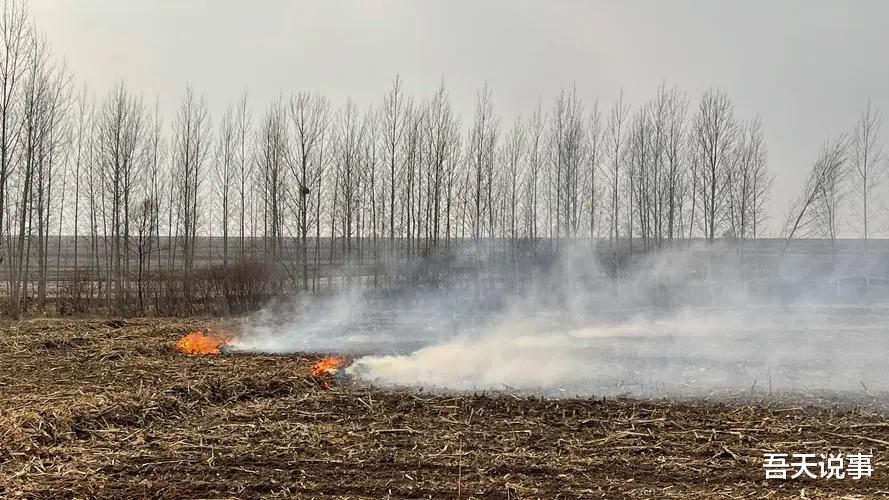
(714, 319)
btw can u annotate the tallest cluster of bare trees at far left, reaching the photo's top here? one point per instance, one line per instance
(34, 106)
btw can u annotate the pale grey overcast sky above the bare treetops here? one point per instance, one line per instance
(807, 67)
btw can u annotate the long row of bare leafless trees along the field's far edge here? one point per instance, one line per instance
(398, 181)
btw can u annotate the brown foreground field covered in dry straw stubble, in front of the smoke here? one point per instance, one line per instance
(92, 408)
